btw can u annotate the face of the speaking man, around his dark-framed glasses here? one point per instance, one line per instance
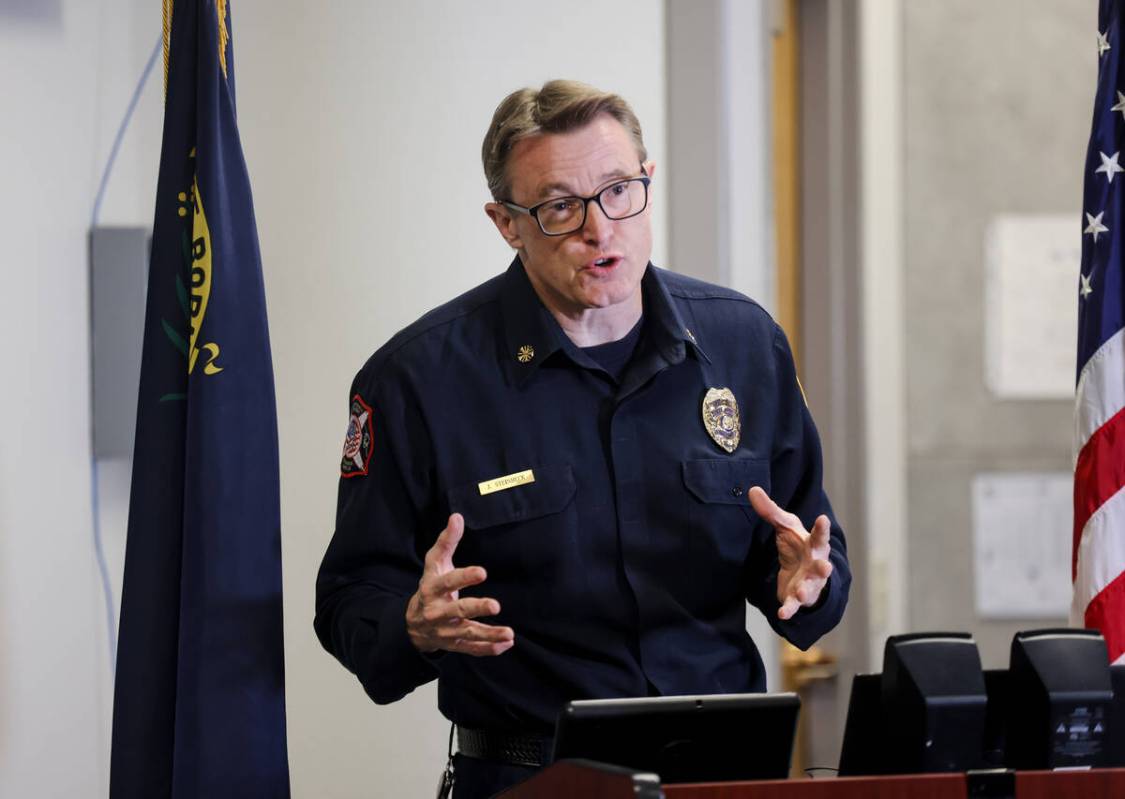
(599, 266)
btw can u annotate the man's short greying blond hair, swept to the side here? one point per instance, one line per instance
(560, 106)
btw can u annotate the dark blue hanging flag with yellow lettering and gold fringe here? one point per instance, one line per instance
(200, 695)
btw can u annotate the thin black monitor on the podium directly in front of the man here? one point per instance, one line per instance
(708, 739)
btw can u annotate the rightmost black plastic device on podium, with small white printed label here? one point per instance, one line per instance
(1063, 697)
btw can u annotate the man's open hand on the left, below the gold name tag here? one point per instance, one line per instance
(438, 620)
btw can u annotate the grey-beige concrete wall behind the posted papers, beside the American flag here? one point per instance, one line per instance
(997, 111)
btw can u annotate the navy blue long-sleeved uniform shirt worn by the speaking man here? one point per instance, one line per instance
(625, 568)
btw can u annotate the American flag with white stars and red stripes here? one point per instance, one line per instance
(1100, 419)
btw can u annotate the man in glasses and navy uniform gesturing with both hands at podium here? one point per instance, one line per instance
(559, 486)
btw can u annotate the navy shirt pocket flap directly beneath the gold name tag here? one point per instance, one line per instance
(552, 491)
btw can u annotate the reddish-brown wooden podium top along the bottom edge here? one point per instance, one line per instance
(590, 780)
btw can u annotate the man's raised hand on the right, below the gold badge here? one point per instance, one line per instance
(803, 555)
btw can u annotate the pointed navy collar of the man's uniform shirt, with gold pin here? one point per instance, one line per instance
(533, 336)
